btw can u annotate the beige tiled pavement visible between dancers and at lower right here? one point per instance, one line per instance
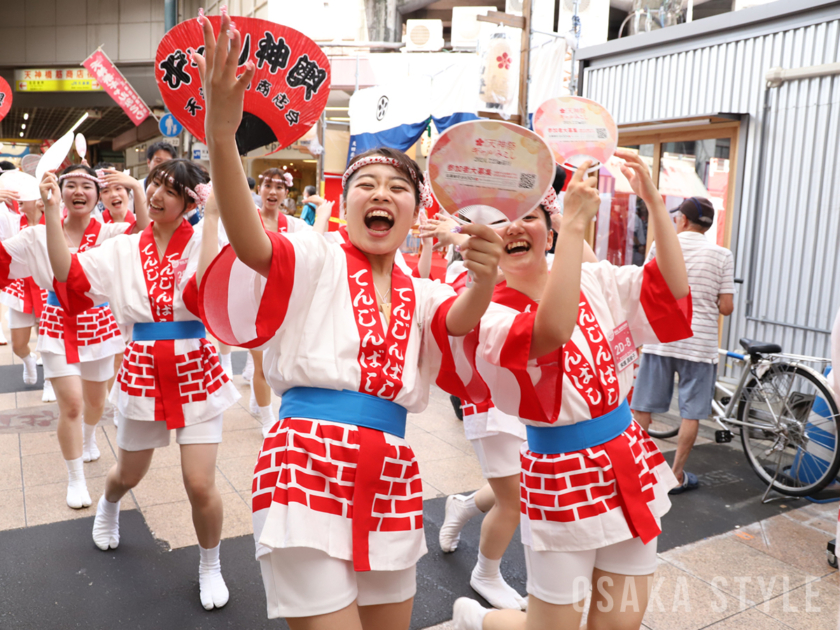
(769, 575)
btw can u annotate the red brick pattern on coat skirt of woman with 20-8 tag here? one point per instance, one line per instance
(575, 486)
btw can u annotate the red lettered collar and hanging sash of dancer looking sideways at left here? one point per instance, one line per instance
(161, 277)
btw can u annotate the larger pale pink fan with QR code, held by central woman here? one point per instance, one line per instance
(486, 171)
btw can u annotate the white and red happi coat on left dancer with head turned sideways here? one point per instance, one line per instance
(179, 381)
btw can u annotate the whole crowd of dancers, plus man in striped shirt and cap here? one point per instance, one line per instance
(125, 279)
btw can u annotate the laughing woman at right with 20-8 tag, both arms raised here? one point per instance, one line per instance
(593, 484)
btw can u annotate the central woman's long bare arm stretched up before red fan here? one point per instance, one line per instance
(224, 95)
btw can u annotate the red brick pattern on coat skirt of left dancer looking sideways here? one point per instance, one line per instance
(200, 372)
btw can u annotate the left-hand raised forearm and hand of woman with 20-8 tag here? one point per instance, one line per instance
(558, 308)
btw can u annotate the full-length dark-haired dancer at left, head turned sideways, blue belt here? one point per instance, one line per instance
(171, 377)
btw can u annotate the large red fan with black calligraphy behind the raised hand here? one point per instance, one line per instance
(286, 97)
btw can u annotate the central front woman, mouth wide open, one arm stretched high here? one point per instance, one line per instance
(352, 344)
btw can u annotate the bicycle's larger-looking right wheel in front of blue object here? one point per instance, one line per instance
(793, 443)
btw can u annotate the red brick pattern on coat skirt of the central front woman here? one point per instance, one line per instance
(314, 463)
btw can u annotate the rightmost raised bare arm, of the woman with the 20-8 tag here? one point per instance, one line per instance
(668, 251)
